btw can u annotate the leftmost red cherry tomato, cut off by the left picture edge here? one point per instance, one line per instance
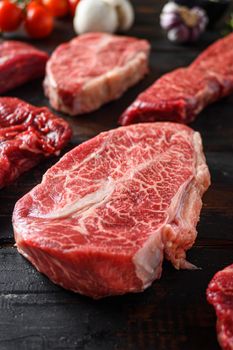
(10, 16)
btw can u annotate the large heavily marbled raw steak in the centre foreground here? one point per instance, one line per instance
(107, 213)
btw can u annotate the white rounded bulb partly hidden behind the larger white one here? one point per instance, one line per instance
(125, 13)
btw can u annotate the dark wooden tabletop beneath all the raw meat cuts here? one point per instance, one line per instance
(171, 315)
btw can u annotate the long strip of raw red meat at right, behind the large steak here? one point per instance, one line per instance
(180, 95)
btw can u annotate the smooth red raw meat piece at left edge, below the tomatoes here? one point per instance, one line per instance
(20, 63)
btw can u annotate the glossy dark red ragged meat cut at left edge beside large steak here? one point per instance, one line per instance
(27, 135)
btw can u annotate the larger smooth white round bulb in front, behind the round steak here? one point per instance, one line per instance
(95, 16)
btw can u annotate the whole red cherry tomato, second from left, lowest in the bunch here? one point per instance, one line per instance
(39, 22)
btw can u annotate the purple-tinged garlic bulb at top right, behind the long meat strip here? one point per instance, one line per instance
(181, 23)
